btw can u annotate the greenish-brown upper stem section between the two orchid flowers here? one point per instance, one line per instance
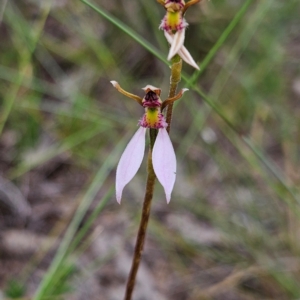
(174, 80)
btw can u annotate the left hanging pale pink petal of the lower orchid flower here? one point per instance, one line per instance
(130, 161)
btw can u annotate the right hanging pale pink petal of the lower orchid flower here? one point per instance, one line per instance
(164, 162)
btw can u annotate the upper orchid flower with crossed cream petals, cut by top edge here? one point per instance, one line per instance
(174, 26)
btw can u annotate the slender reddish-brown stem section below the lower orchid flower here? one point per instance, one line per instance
(142, 229)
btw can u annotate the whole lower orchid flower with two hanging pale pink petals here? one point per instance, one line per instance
(163, 155)
